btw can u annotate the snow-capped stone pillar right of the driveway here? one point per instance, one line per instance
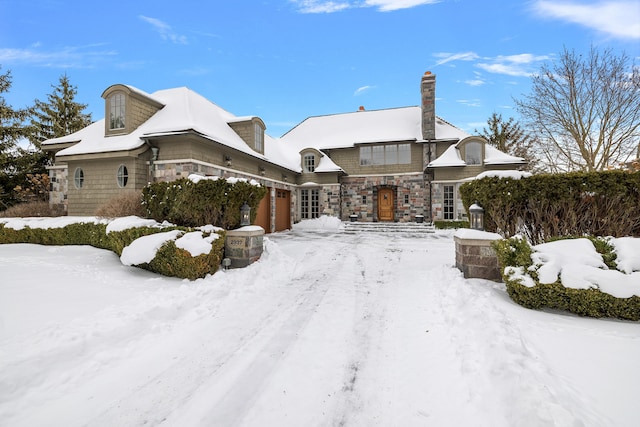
(474, 255)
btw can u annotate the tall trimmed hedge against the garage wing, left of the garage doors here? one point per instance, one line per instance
(190, 204)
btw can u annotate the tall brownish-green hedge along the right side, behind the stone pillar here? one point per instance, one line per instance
(550, 205)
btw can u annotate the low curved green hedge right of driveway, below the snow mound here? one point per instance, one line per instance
(516, 252)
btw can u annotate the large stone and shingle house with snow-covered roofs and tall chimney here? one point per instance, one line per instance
(381, 165)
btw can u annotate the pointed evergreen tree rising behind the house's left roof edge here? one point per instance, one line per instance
(59, 116)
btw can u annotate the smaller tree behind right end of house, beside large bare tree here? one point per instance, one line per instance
(509, 137)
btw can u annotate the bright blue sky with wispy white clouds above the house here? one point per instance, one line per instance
(285, 60)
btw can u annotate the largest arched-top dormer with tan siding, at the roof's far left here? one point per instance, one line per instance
(126, 108)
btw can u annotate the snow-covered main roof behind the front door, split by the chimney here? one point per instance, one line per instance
(348, 129)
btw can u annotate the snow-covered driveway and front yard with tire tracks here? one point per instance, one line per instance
(328, 328)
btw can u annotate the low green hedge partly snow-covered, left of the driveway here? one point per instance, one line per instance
(169, 260)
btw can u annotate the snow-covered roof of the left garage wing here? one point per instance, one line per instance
(184, 111)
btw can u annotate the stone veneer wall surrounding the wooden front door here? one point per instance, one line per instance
(359, 196)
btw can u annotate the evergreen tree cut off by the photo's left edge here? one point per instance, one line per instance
(11, 131)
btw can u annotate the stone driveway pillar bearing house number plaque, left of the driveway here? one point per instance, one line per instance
(244, 245)
